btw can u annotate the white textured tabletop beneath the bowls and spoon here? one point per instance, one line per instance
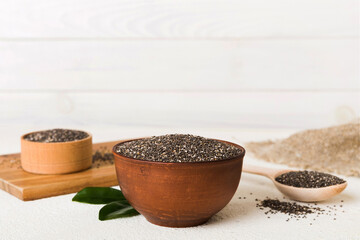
(60, 218)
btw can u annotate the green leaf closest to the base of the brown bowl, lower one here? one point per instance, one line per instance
(119, 209)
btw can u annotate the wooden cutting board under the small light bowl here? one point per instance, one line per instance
(27, 186)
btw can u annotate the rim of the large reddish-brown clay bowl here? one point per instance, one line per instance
(240, 156)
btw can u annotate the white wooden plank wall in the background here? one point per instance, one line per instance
(228, 63)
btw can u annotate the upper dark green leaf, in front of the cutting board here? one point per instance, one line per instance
(98, 195)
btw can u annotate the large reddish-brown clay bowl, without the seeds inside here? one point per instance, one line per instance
(178, 194)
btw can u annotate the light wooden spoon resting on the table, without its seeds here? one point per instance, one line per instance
(296, 193)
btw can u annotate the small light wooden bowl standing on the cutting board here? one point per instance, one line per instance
(56, 158)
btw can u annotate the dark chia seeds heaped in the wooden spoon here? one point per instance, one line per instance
(308, 179)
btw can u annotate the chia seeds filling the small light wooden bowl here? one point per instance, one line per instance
(56, 135)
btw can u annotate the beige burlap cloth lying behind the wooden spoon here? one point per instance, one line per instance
(334, 149)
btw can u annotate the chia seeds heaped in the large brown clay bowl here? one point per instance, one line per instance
(178, 148)
